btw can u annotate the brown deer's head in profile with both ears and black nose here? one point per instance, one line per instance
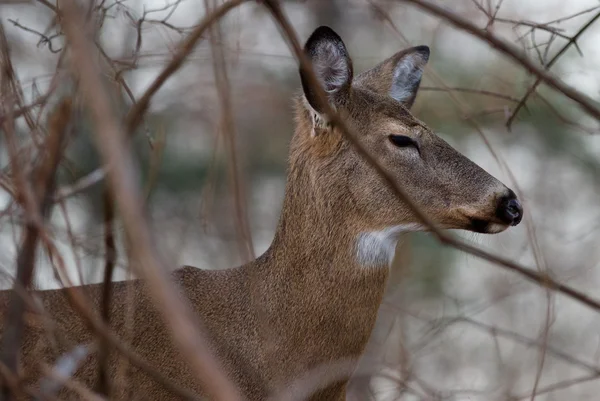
(450, 188)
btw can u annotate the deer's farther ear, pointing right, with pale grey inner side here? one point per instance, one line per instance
(399, 76)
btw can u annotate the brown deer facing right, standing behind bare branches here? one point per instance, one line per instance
(312, 297)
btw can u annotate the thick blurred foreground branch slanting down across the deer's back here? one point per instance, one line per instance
(111, 140)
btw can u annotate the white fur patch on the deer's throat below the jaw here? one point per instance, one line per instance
(377, 248)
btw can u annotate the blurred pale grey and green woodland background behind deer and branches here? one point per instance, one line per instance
(453, 327)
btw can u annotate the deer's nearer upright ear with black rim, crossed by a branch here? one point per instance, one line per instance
(331, 64)
